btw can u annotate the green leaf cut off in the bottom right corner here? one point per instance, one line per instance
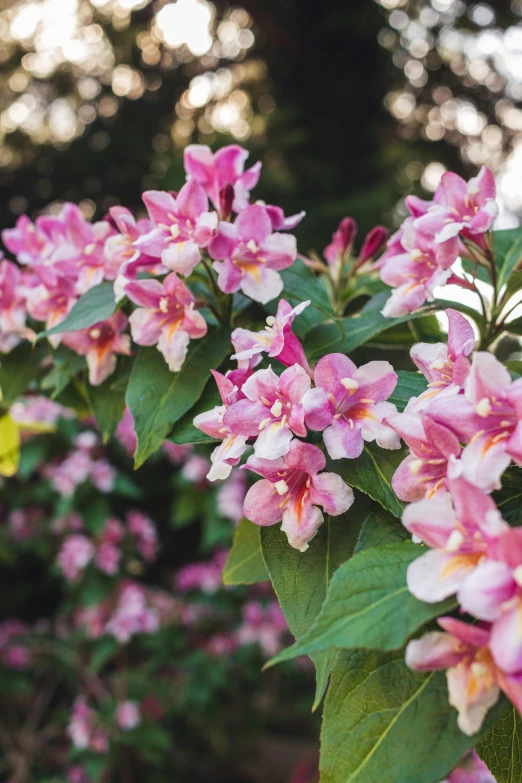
(501, 749)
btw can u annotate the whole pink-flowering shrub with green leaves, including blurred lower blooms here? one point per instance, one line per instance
(413, 628)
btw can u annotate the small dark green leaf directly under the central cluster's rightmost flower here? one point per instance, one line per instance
(372, 473)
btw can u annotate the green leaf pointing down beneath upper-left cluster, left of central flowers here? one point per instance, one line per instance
(158, 398)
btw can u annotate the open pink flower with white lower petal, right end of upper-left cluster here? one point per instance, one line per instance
(248, 256)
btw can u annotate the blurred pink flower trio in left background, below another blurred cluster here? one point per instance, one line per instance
(105, 550)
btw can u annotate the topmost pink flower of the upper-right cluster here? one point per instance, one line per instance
(461, 207)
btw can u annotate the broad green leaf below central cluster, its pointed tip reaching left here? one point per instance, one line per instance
(368, 604)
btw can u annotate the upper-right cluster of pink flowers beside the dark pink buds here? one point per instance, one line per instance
(421, 254)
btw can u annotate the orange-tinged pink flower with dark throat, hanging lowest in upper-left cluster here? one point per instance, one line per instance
(100, 344)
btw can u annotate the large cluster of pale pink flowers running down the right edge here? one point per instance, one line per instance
(463, 433)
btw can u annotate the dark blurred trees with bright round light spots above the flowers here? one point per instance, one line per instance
(348, 104)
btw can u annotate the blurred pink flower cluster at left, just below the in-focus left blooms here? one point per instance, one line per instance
(82, 464)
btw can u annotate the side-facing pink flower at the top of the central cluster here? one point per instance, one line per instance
(278, 340)
